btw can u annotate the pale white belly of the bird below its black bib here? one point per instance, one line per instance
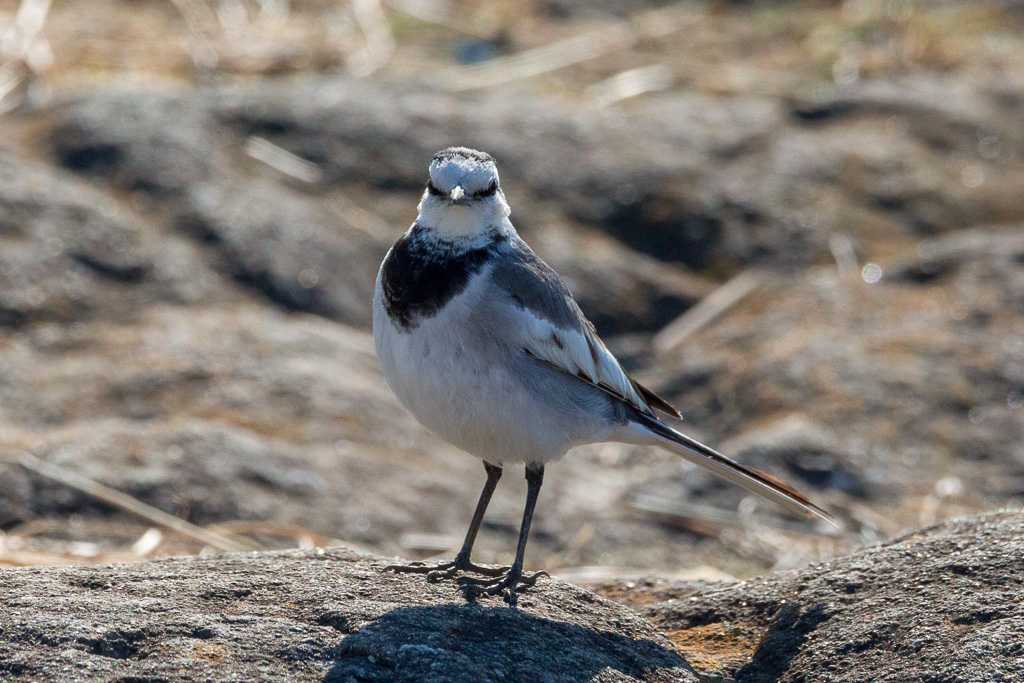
(459, 387)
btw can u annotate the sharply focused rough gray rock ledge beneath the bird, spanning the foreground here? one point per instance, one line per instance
(942, 604)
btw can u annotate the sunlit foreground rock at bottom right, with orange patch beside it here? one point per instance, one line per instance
(941, 604)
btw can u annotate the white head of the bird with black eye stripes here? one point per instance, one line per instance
(463, 195)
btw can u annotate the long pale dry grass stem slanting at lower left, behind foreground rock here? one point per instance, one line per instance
(137, 507)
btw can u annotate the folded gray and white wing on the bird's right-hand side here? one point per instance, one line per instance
(553, 329)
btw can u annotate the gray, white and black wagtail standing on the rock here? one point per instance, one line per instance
(486, 346)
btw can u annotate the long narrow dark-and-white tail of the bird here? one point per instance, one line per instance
(756, 483)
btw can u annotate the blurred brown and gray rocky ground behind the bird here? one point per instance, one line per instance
(800, 222)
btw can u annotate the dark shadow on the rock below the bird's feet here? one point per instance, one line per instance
(475, 644)
